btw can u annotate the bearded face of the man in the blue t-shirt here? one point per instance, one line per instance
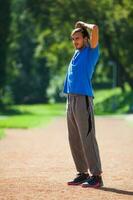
(78, 40)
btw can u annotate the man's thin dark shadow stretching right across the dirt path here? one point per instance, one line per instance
(118, 191)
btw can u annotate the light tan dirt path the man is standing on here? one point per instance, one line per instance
(35, 164)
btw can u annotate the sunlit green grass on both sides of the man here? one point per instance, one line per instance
(107, 102)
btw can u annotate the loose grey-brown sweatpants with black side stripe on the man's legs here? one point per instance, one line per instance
(81, 132)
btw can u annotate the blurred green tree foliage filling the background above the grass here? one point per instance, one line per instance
(40, 48)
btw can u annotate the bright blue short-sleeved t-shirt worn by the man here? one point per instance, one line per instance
(80, 71)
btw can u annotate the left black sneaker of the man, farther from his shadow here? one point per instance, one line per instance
(80, 178)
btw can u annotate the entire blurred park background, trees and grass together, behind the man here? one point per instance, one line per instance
(35, 50)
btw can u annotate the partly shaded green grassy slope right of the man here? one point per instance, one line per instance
(113, 101)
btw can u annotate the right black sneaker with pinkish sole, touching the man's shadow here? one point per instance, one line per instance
(93, 181)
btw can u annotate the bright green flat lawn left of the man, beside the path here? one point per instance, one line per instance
(28, 116)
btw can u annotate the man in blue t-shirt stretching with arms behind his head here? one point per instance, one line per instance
(80, 117)
